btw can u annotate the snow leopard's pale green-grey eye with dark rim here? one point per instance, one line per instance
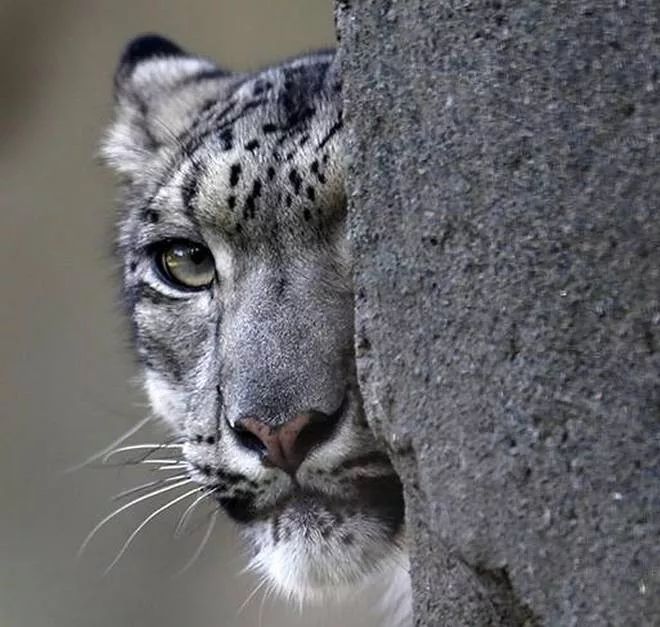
(185, 264)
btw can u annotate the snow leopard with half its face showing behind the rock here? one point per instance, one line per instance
(236, 278)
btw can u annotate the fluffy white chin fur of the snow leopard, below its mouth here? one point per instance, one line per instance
(315, 549)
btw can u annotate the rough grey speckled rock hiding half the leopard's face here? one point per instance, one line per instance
(504, 196)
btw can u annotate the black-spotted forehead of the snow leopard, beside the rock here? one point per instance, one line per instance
(274, 162)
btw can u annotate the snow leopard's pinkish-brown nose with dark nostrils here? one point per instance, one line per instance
(286, 445)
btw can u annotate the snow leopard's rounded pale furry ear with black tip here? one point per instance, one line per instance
(158, 91)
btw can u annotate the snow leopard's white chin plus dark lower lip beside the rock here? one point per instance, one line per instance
(312, 545)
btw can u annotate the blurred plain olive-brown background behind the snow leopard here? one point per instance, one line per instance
(67, 379)
